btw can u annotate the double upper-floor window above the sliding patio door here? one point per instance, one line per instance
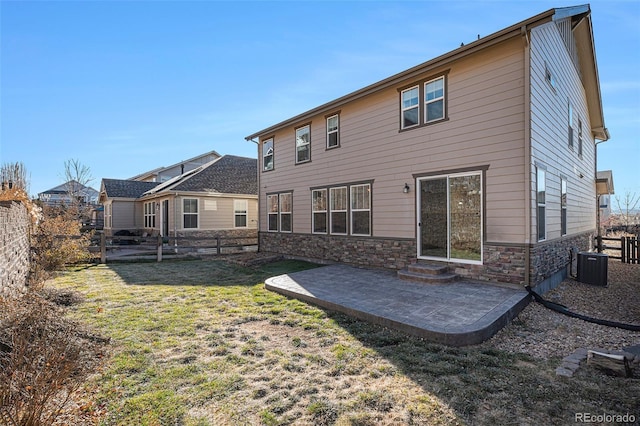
(432, 108)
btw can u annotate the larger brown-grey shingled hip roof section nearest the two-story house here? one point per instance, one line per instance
(228, 175)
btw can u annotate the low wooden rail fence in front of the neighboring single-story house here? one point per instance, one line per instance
(160, 247)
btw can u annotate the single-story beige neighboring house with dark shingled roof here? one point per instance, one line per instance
(217, 198)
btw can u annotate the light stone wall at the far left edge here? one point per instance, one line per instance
(14, 247)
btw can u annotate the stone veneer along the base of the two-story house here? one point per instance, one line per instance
(502, 262)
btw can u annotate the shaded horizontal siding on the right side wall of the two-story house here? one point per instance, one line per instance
(549, 135)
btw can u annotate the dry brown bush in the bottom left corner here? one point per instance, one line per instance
(44, 358)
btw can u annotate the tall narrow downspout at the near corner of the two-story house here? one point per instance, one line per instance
(527, 155)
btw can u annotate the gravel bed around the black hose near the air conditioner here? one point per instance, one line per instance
(543, 333)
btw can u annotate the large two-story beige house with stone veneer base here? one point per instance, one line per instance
(482, 159)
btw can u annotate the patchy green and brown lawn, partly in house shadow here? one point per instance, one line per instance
(203, 343)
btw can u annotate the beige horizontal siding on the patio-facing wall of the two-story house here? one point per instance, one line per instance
(485, 128)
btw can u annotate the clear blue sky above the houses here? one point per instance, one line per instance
(125, 87)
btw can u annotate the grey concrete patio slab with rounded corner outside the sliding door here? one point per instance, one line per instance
(457, 314)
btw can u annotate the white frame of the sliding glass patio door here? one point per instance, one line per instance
(419, 178)
